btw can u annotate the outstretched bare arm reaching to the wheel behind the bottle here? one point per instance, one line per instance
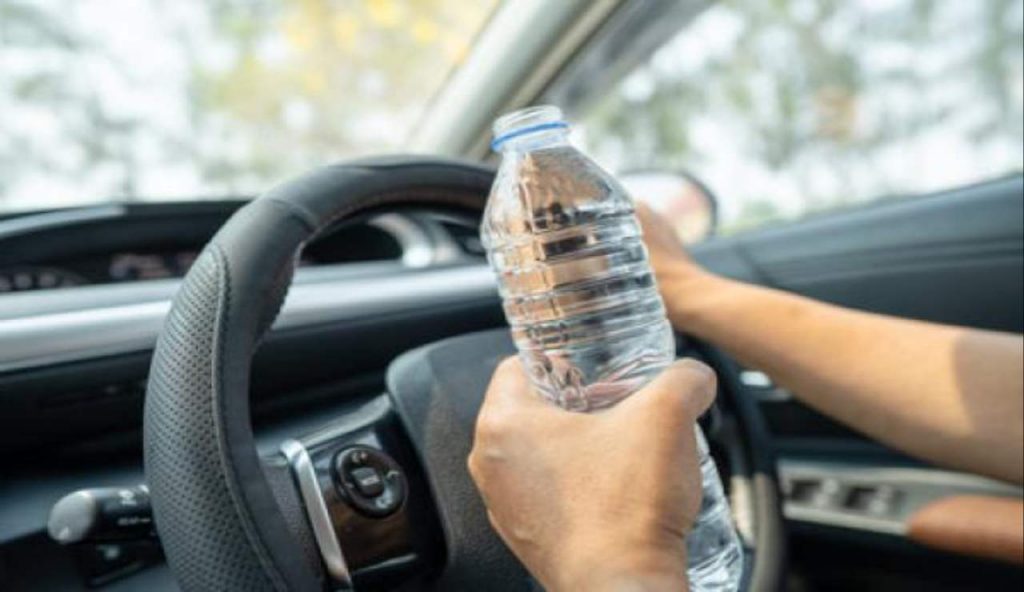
(949, 395)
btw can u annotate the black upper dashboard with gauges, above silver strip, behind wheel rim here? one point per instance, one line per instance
(143, 242)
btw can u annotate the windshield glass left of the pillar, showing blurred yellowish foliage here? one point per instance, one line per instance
(108, 101)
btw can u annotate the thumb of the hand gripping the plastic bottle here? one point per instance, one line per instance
(679, 395)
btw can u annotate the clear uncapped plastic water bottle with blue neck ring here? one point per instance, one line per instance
(581, 301)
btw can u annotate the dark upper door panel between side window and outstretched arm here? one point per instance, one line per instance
(954, 258)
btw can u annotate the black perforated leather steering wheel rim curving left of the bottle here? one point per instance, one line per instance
(220, 521)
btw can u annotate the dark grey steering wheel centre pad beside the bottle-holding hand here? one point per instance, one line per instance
(438, 391)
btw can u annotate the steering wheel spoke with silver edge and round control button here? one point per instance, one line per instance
(364, 499)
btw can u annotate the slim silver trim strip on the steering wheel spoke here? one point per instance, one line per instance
(320, 521)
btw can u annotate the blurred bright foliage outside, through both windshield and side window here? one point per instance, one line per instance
(783, 107)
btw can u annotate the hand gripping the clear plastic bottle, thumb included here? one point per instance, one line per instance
(598, 501)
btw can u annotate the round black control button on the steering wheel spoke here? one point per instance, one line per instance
(370, 481)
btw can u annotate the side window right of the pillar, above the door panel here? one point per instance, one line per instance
(794, 107)
